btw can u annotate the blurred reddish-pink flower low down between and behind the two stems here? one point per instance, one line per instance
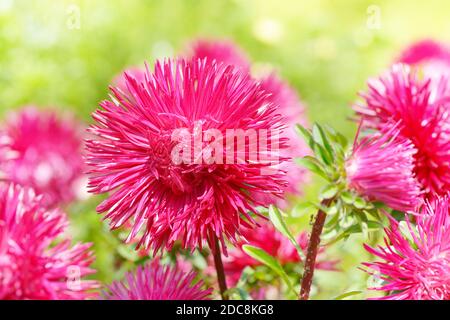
(269, 239)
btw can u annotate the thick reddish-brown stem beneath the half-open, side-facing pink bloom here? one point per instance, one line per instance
(313, 248)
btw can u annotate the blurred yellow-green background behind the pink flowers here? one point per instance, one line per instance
(64, 54)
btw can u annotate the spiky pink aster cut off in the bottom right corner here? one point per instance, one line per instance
(415, 262)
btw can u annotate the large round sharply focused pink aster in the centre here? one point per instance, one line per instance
(194, 199)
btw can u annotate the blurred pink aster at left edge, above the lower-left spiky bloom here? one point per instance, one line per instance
(44, 152)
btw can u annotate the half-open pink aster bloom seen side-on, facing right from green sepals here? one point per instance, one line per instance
(381, 168)
